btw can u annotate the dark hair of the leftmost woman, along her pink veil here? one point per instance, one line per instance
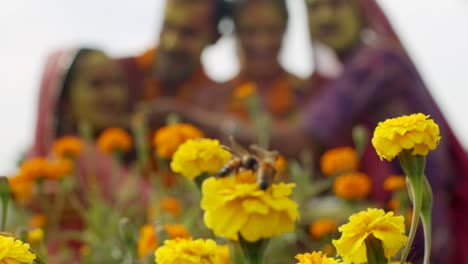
(64, 93)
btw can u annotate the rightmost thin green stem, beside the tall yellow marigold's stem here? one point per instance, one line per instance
(426, 210)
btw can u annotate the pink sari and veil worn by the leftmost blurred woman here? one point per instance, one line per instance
(93, 168)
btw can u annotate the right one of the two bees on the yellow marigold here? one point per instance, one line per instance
(266, 165)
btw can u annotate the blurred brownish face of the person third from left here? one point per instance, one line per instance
(260, 30)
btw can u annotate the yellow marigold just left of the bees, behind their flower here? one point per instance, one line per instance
(195, 157)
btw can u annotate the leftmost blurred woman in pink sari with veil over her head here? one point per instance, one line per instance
(82, 85)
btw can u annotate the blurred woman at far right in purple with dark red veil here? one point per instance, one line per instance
(376, 81)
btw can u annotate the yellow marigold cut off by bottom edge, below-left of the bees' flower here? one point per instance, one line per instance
(186, 251)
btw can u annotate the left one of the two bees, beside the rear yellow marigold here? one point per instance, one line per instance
(242, 159)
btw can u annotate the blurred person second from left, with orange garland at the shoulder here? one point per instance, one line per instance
(173, 67)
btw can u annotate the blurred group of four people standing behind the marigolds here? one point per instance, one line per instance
(362, 76)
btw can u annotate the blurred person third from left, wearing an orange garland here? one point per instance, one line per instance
(260, 27)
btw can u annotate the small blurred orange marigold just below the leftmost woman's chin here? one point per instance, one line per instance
(112, 140)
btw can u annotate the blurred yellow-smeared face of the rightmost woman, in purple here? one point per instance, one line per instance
(335, 23)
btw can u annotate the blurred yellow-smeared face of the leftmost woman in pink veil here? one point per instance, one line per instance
(98, 92)
